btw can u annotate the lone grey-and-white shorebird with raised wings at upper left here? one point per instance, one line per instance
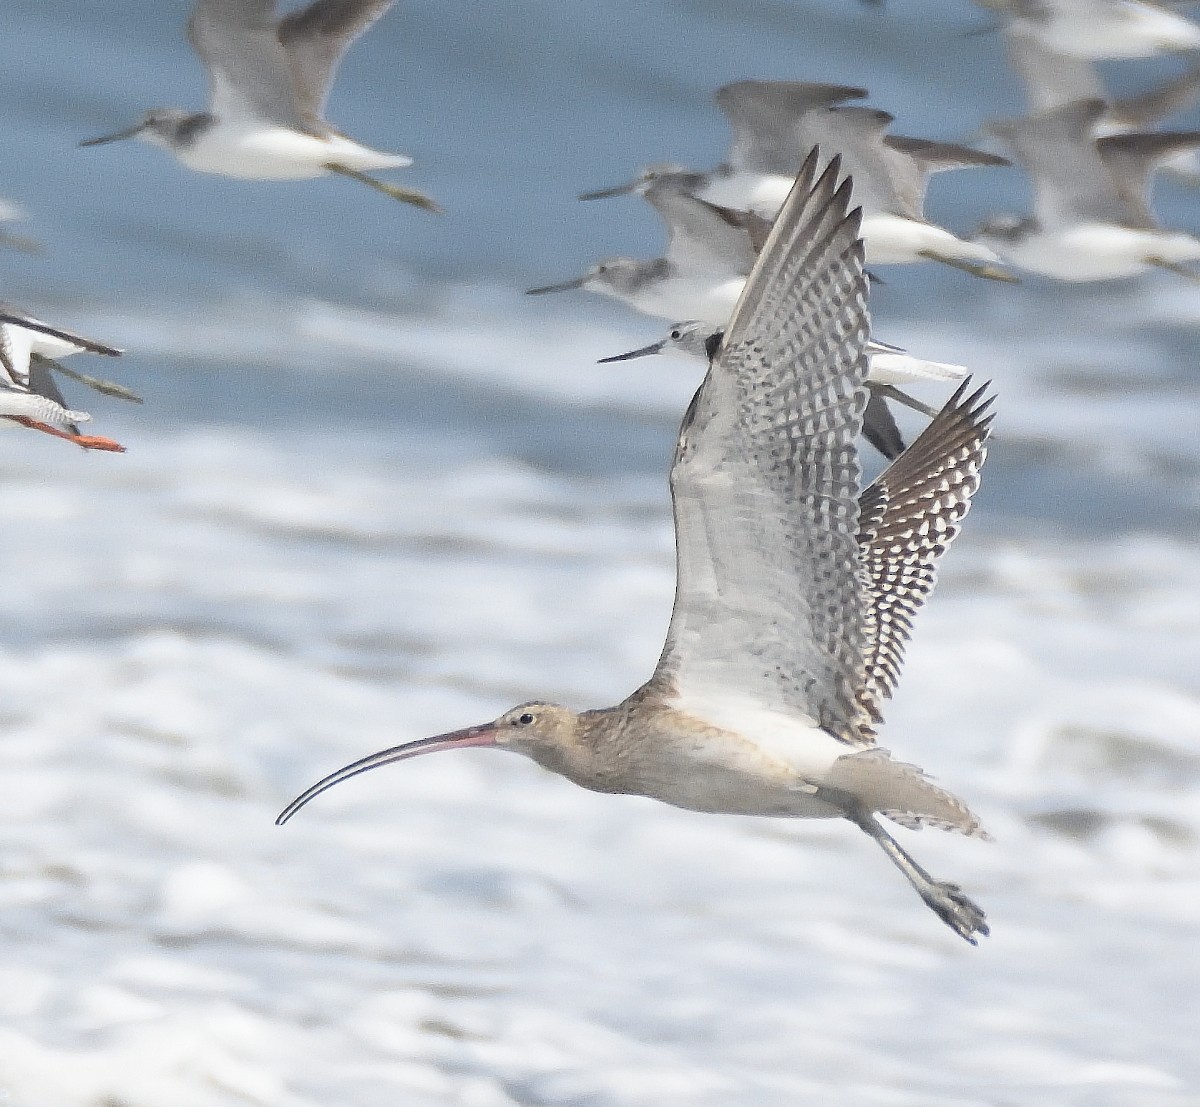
(269, 80)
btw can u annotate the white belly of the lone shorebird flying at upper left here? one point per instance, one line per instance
(259, 153)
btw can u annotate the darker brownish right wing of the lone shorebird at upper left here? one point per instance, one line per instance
(316, 38)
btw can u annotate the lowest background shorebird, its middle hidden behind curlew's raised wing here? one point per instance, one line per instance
(890, 369)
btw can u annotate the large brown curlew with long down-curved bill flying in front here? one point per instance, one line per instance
(795, 594)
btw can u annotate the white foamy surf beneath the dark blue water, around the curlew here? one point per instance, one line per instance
(206, 627)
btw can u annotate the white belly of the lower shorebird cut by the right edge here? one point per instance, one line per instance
(1100, 252)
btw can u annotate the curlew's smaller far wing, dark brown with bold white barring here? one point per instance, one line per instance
(909, 517)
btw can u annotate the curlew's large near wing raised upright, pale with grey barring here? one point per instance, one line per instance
(770, 600)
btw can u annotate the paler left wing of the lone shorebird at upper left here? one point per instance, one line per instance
(249, 71)
